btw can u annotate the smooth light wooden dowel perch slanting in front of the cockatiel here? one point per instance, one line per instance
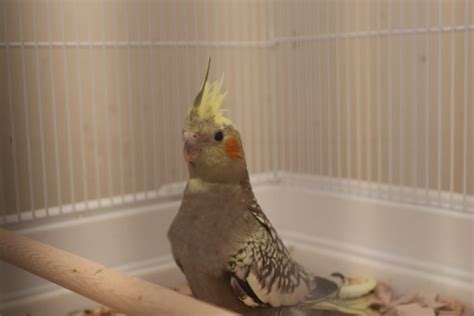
(106, 286)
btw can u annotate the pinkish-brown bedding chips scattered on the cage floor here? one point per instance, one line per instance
(415, 302)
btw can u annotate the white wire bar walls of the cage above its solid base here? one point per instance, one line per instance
(365, 98)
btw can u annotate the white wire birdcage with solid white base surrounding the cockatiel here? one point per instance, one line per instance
(357, 119)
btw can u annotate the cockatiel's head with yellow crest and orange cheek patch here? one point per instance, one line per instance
(212, 145)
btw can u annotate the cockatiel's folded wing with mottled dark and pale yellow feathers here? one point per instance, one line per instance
(263, 272)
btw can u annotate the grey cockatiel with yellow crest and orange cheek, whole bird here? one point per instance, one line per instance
(222, 241)
